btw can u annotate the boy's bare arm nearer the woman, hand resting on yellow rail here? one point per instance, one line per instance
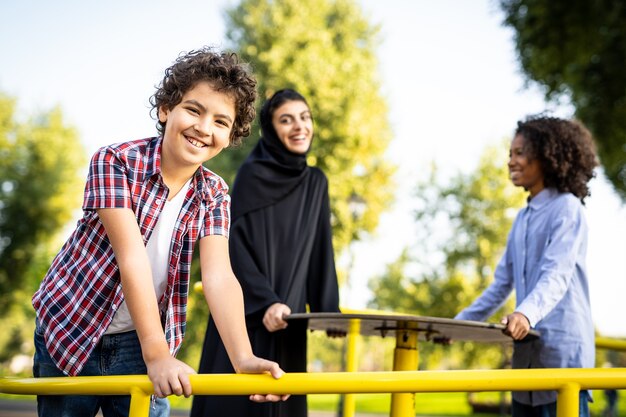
(223, 294)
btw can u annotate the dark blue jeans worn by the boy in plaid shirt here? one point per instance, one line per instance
(117, 354)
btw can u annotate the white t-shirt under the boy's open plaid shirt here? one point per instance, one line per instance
(158, 248)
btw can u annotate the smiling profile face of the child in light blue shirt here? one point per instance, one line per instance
(524, 170)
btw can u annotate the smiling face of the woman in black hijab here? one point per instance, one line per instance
(294, 126)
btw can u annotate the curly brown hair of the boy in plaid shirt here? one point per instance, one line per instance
(224, 71)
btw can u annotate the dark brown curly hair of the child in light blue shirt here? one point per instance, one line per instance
(565, 151)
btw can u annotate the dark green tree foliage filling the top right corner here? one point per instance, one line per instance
(577, 49)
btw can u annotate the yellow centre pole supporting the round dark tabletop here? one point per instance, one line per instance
(405, 358)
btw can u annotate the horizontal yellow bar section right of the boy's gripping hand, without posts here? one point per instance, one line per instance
(410, 381)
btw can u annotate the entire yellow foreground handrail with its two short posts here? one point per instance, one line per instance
(568, 382)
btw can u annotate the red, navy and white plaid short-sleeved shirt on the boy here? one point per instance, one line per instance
(80, 293)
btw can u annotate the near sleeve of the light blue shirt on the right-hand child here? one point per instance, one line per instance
(557, 265)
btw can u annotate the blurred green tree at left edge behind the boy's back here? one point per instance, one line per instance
(39, 190)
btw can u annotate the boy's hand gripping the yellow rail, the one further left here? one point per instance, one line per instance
(169, 376)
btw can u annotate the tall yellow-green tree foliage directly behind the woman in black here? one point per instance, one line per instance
(325, 49)
